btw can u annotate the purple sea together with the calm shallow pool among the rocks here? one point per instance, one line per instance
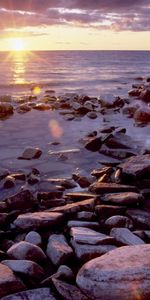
(92, 73)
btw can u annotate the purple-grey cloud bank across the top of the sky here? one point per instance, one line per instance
(117, 15)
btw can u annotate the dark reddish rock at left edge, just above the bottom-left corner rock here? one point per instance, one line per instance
(9, 283)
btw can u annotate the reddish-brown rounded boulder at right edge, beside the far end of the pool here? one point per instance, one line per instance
(142, 115)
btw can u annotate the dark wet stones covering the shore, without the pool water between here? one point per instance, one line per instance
(87, 237)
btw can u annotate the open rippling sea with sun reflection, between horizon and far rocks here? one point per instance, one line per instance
(84, 72)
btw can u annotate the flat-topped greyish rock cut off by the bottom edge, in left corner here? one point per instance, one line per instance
(38, 294)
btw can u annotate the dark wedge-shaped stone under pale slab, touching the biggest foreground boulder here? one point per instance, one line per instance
(86, 252)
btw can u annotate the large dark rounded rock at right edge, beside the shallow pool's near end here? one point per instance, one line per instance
(136, 167)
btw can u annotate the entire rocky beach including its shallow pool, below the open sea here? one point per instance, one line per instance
(75, 196)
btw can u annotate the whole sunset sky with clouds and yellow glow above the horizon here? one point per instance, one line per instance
(74, 25)
